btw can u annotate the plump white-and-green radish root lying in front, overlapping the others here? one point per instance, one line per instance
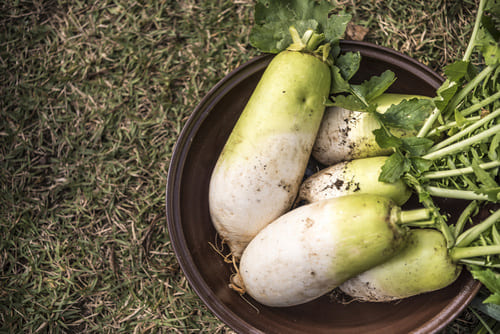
(314, 248)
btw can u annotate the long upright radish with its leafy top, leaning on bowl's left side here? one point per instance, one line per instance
(258, 173)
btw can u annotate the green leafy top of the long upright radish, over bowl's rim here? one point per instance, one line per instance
(274, 18)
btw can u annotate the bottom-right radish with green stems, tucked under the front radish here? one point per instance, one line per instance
(423, 265)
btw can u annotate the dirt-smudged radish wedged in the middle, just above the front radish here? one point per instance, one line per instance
(359, 176)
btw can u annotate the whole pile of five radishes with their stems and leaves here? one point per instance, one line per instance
(293, 240)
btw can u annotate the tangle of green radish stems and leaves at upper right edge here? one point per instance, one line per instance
(459, 107)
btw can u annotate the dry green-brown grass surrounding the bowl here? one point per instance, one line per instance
(93, 97)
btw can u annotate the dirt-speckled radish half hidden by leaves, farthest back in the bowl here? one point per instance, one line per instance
(347, 135)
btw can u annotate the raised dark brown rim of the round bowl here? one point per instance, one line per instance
(178, 159)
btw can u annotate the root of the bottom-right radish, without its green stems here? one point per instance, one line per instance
(424, 265)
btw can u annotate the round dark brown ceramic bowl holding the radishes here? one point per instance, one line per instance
(191, 230)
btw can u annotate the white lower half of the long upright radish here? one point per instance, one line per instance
(270, 194)
